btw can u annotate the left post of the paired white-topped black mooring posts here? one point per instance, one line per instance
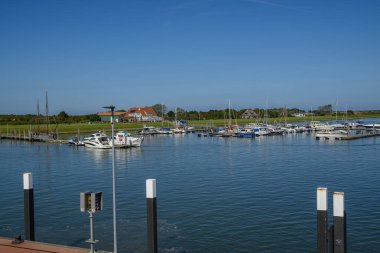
(322, 225)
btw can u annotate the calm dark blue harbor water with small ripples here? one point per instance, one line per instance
(214, 194)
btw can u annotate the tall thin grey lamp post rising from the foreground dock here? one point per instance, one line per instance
(112, 108)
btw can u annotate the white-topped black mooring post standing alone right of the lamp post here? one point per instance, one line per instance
(151, 202)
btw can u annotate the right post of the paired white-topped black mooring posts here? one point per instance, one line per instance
(339, 223)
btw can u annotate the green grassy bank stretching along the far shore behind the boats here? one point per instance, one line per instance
(65, 130)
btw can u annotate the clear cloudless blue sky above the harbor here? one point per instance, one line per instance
(194, 54)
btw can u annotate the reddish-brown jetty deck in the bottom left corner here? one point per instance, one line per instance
(13, 246)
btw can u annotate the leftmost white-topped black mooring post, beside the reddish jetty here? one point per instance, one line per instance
(28, 207)
